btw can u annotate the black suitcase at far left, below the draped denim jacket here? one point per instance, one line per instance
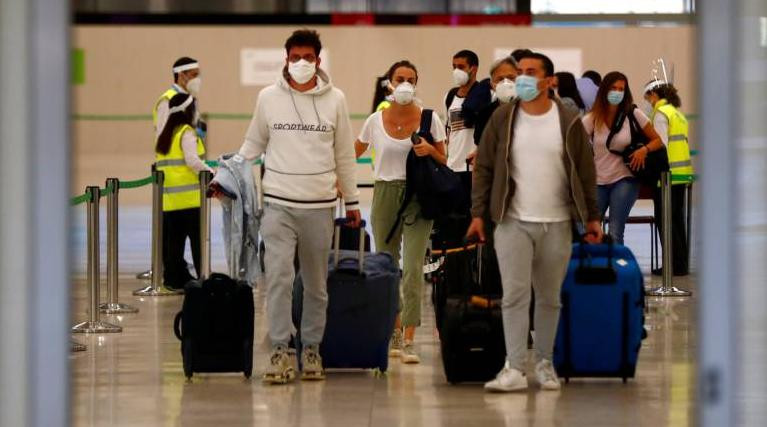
(215, 326)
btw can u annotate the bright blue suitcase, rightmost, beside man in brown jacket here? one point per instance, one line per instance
(601, 326)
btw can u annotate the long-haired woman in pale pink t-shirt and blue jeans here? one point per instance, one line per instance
(617, 189)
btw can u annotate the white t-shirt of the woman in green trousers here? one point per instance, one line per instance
(391, 153)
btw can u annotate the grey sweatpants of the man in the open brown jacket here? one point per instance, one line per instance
(536, 253)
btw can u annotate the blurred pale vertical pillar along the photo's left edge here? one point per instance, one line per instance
(34, 177)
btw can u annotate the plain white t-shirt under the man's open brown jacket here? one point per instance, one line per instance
(538, 171)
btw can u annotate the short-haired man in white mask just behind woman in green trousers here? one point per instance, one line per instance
(463, 103)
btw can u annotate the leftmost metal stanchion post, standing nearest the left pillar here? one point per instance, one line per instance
(94, 324)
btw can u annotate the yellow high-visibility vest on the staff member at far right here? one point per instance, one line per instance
(678, 147)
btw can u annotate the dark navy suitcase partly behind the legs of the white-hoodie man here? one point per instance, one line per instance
(363, 299)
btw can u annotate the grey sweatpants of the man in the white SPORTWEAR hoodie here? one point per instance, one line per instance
(310, 231)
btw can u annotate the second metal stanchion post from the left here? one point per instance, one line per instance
(112, 306)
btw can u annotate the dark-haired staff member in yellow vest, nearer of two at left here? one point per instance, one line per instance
(177, 154)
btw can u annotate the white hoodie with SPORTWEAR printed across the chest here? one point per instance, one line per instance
(308, 143)
